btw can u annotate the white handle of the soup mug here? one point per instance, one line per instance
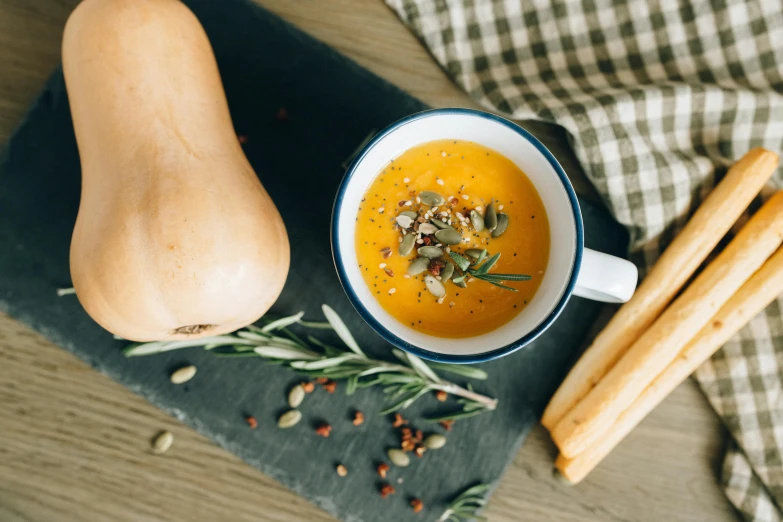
(605, 278)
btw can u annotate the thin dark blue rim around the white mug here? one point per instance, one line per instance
(388, 335)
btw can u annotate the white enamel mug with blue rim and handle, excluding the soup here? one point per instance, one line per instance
(572, 269)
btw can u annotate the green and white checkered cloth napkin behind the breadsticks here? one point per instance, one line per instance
(659, 97)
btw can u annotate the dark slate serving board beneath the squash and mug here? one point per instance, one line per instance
(332, 105)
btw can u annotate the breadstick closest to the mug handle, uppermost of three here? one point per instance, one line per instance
(707, 226)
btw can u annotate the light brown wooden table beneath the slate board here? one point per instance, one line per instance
(74, 444)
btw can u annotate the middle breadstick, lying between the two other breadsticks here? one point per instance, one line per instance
(682, 320)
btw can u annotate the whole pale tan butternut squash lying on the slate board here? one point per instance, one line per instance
(175, 236)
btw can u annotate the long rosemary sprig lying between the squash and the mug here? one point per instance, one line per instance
(403, 382)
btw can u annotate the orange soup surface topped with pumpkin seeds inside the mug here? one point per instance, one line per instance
(466, 177)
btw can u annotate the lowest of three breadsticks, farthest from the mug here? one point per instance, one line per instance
(749, 301)
